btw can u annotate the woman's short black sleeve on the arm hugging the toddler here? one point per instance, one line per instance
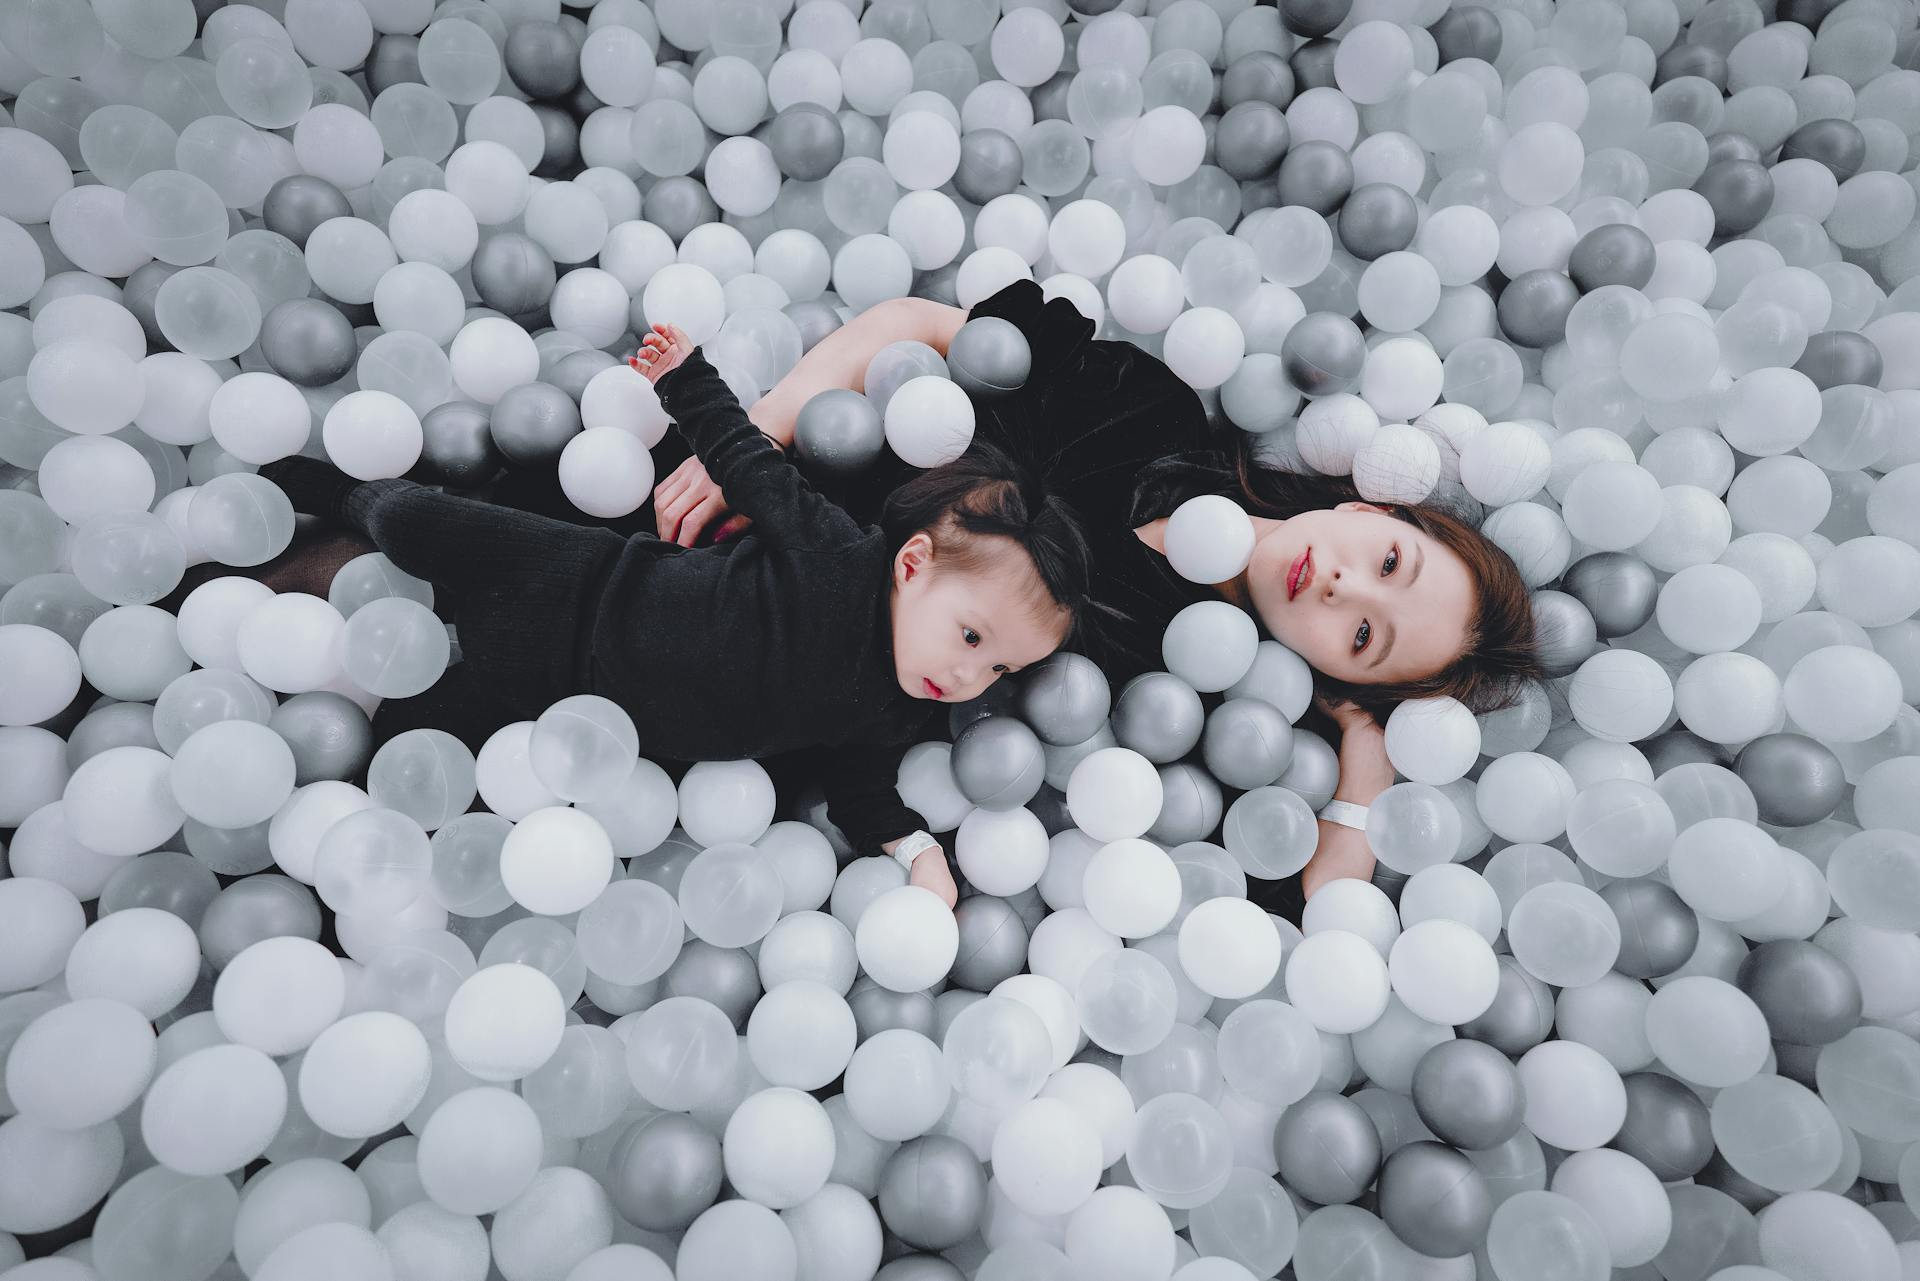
(1092, 414)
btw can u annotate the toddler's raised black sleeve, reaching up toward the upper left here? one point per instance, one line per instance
(757, 479)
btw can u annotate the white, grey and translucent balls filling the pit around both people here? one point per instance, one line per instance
(1627, 285)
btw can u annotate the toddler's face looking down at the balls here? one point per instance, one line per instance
(959, 633)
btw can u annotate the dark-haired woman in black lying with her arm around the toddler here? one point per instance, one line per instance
(1385, 604)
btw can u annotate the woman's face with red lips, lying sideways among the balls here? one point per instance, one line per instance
(1362, 596)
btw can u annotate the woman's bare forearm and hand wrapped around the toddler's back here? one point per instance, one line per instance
(690, 500)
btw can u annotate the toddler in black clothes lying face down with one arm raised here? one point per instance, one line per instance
(809, 631)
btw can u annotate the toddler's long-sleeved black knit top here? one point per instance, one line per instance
(775, 642)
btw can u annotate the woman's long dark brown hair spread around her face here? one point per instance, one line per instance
(1500, 658)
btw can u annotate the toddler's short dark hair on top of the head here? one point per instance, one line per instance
(986, 495)
